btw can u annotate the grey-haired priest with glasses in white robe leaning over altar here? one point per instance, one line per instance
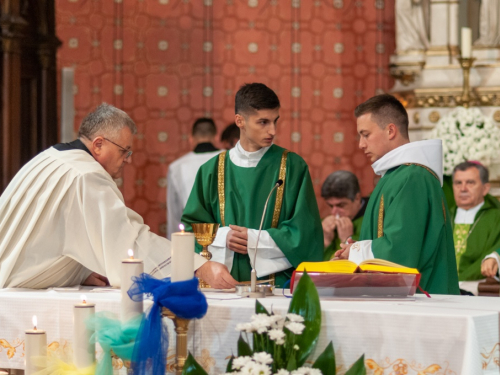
(64, 222)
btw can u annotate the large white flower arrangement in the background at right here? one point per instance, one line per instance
(467, 134)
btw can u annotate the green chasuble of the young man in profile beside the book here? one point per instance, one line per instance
(407, 219)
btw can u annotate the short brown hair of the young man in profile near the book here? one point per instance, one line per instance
(385, 109)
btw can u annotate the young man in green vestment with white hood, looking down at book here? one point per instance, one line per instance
(407, 220)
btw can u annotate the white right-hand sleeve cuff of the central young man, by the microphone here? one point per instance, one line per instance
(270, 259)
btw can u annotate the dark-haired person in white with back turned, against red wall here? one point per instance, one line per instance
(182, 172)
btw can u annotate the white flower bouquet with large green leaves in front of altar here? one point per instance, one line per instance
(275, 344)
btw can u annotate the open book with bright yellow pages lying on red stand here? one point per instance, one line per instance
(346, 266)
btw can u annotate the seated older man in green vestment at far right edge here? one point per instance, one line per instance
(476, 222)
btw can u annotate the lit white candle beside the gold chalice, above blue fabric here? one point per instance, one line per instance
(182, 255)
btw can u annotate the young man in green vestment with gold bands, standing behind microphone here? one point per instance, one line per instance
(231, 189)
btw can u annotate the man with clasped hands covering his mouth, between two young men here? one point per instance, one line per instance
(341, 192)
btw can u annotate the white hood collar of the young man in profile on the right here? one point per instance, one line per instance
(428, 153)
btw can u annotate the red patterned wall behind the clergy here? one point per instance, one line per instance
(167, 62)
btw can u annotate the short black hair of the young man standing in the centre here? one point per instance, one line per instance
(254, 97)
